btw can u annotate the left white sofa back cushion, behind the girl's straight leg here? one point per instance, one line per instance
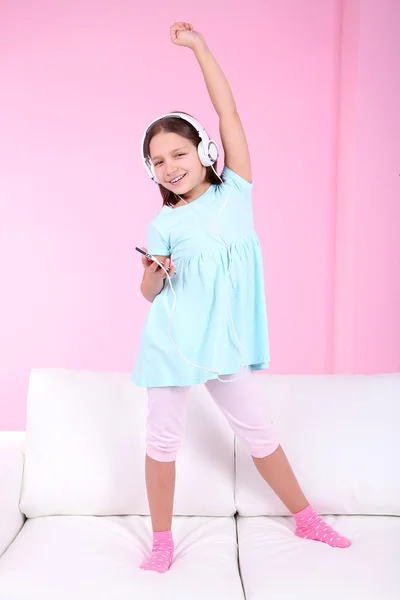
(85, 449)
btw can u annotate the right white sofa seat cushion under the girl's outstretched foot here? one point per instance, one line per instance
(277, 565)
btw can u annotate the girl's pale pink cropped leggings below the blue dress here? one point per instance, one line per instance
(239, 401)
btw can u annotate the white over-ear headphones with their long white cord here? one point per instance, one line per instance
(208, 154)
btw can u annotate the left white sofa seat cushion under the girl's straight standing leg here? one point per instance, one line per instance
(81, 557)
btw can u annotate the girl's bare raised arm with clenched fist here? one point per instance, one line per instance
(237, 156)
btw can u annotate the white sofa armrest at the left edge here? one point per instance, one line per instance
(12, 445)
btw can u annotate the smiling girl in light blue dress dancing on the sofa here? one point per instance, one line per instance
(218, 333)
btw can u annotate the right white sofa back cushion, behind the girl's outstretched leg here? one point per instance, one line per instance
(341, 435)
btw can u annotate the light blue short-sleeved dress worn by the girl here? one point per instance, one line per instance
(201, 324)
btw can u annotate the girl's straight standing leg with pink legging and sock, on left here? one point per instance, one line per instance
(164, 432)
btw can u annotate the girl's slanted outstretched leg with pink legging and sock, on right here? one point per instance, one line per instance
(243, 406)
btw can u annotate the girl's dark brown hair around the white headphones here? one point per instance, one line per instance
(186, 130)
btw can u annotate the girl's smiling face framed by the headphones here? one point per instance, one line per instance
(176, 162)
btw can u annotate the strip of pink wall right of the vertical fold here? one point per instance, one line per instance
(367, 273)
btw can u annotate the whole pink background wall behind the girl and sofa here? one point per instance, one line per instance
(318, 92)
